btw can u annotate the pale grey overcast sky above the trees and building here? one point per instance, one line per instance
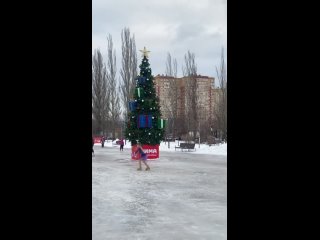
(163, 26)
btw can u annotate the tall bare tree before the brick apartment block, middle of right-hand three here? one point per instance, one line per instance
(191, 102)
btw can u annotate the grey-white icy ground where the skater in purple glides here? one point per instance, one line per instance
(184, 196)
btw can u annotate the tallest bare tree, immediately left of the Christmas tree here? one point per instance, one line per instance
(129, 68)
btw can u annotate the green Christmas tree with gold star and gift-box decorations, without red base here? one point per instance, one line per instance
(144, 123)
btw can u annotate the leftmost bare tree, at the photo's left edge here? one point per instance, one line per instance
(100, 96)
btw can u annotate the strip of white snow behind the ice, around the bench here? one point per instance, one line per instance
(220, 149)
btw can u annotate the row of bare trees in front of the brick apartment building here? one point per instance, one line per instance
(195, 121)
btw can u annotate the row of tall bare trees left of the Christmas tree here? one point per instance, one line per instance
(110, 94)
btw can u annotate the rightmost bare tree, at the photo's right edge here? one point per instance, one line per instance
(220, 106)
